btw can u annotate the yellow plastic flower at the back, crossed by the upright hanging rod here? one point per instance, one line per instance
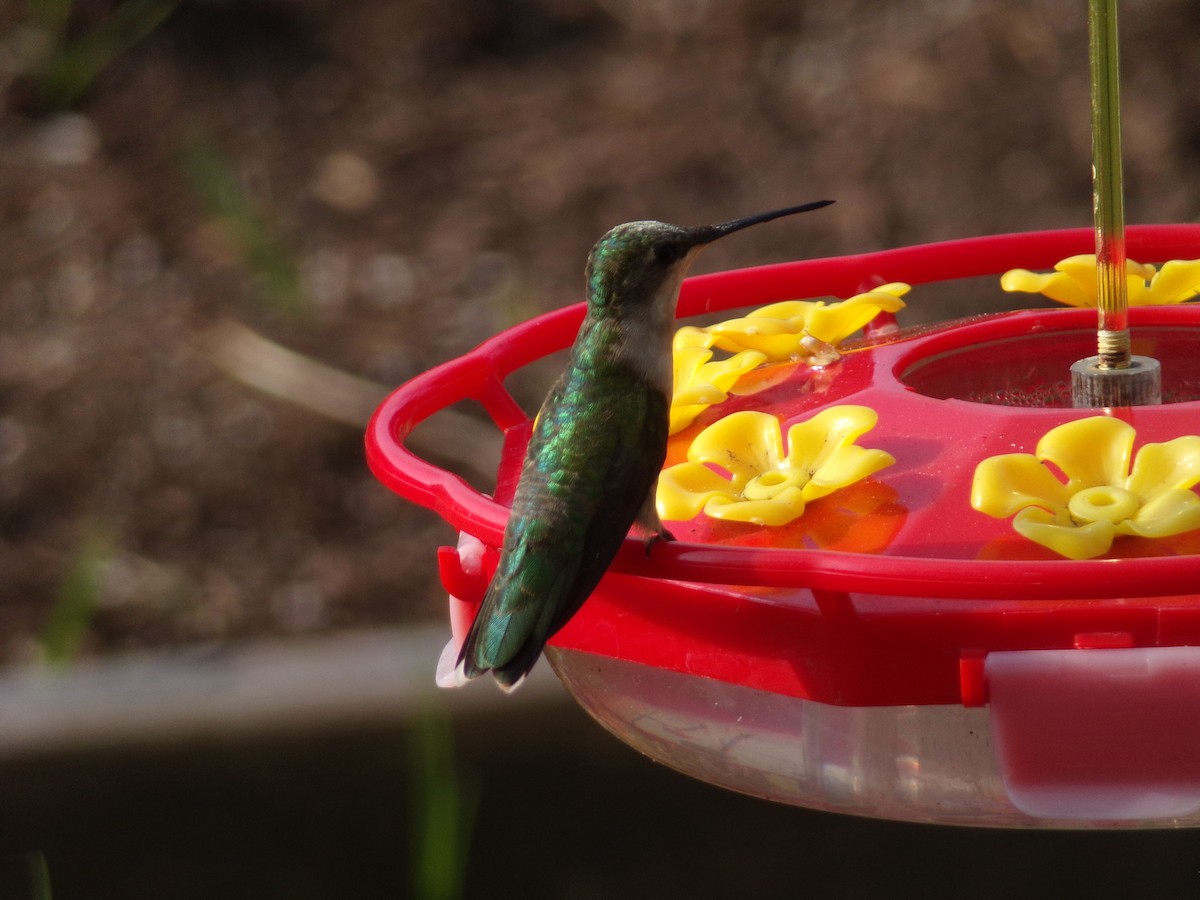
(1073, 281)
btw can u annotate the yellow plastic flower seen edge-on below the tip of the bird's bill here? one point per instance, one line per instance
(799, 328)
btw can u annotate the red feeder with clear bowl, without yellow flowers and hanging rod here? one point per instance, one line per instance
(897, 653)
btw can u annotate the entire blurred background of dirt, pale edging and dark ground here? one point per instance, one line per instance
(230, 227)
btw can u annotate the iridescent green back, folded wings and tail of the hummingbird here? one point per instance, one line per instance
(587, 475)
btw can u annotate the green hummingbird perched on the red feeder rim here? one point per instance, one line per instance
(597, 448)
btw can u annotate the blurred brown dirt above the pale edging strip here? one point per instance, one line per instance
(381, 185)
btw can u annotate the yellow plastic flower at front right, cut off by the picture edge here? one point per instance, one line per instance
(1102, 497)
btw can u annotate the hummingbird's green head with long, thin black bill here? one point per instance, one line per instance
(641, 265)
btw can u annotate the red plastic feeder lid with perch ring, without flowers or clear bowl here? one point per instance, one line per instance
(892, 591)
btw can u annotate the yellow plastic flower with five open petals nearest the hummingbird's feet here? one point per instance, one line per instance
(755, 481)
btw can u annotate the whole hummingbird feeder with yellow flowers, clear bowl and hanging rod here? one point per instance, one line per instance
(987, 613)
